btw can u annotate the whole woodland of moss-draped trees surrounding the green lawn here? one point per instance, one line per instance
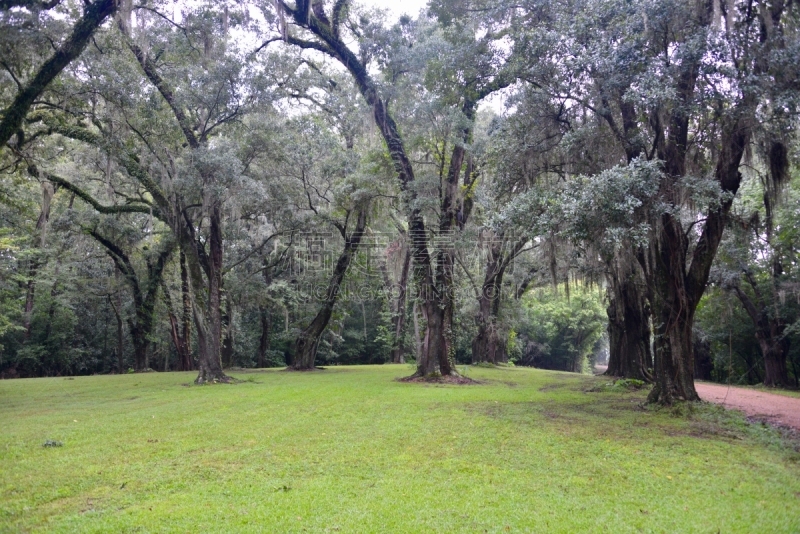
(206, 186)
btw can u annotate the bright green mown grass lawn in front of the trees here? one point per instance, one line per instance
(353, 450)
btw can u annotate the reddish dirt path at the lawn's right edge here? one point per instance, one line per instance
(777, 409)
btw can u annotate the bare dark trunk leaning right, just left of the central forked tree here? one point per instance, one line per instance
(305, 346)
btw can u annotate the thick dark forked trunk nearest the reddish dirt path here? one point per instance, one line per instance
(676, 283)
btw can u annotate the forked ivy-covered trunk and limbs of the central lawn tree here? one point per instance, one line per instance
(433, 273)
